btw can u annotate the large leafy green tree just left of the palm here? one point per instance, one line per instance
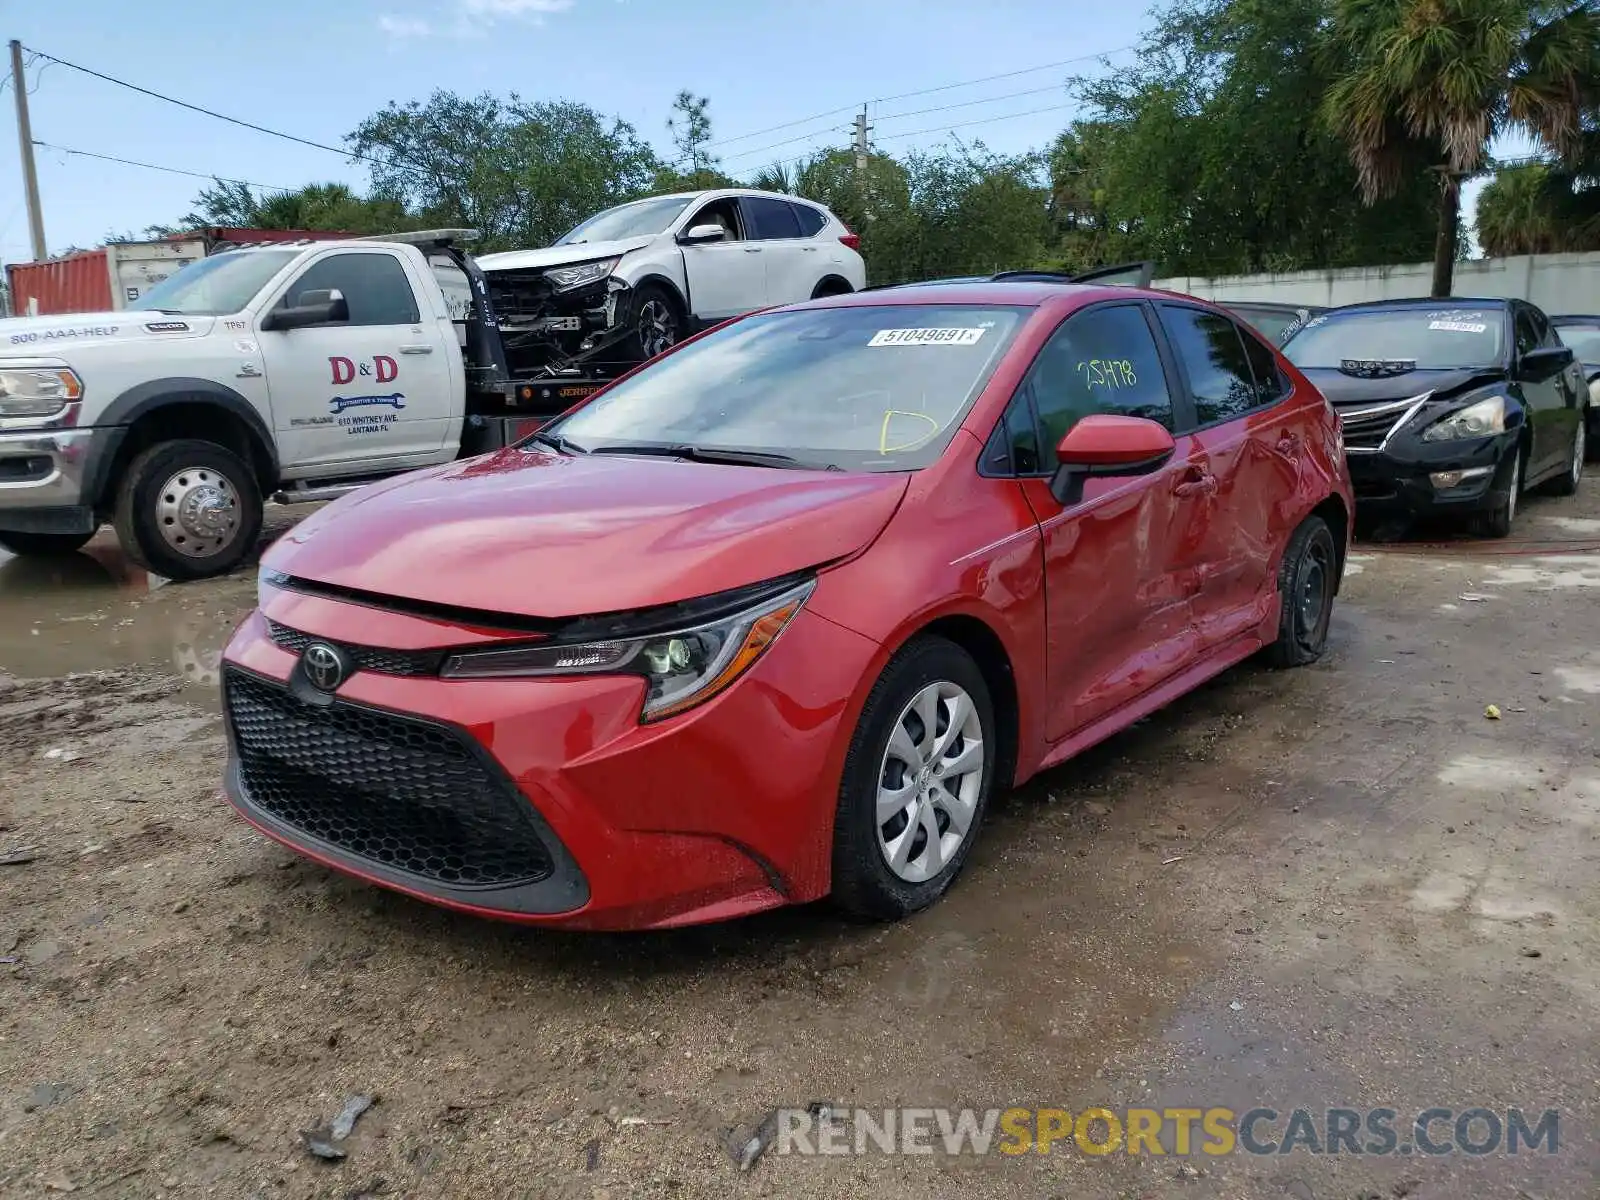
(1207, 154)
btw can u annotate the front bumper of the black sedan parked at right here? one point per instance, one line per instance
(1399, 479)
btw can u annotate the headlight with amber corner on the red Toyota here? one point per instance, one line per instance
(682, 668)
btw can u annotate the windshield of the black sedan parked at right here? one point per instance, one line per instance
(1423, 338)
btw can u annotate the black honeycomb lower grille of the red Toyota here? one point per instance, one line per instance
(398, 791)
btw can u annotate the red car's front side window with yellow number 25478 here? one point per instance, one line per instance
(1103, 361)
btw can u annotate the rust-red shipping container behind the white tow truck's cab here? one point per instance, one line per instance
(113, 278)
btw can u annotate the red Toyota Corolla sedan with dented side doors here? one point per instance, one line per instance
(778, 615)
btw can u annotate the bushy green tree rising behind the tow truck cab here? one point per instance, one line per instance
(522, 174)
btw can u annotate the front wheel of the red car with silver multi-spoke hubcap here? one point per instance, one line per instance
(916, 785)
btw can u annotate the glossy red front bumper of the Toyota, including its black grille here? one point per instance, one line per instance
(558, 807)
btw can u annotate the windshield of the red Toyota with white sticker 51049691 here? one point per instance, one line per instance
(876, 388)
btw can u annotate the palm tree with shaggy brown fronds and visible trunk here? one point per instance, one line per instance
(1430, 84)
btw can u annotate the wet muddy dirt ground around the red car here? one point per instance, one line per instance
(1334, 887)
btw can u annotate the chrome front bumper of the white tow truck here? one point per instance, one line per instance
(47, 479)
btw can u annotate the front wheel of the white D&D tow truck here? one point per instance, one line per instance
(188, 510)
